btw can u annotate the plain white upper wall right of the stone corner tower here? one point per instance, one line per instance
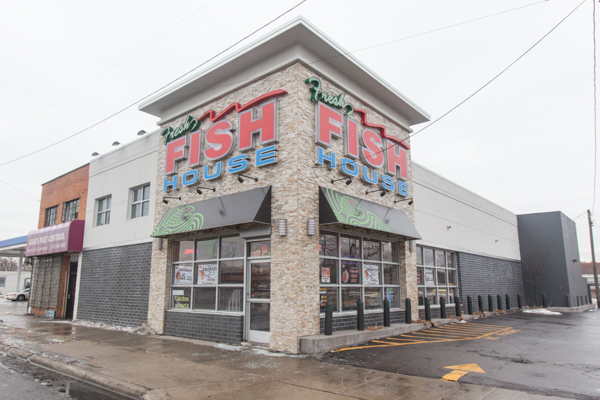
(478, 226)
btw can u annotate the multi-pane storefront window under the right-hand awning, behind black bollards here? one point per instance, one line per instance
(366, 269)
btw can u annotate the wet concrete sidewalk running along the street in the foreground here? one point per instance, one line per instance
(159, 367)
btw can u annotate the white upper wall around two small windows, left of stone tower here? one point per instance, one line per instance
(114, 174)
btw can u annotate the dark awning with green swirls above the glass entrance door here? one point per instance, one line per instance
(250, 206)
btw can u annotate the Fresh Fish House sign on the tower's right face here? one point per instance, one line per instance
(371, 146)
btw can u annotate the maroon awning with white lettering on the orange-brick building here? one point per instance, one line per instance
(67, 237)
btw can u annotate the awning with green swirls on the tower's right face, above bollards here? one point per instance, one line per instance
(339, 208)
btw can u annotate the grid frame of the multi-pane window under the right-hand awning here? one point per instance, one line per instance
(362, 261)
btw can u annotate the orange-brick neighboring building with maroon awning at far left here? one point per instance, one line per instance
(56, 245)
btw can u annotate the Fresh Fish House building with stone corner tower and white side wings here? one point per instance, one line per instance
(279, 179)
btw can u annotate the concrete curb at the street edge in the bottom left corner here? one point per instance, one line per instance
(115, 385)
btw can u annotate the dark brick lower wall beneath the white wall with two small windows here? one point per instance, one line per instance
(115, 284)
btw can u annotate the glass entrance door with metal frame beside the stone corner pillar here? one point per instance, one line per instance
(258, 304)
